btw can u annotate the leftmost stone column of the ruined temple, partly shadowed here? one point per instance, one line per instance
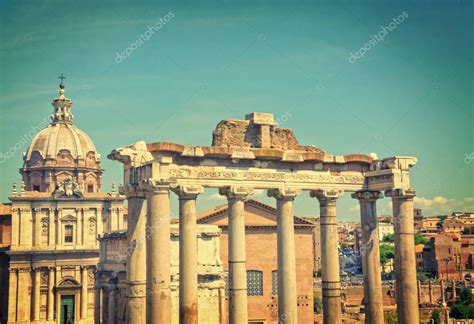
(136, 257)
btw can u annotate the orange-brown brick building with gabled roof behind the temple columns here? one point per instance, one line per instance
(261, 242)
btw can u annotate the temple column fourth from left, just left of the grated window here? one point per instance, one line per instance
(238, 312)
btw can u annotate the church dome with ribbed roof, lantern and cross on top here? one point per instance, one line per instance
(61, 151)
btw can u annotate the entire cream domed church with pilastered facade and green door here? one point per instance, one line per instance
(49, 251)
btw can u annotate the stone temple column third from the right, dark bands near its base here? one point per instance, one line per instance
(331, 283)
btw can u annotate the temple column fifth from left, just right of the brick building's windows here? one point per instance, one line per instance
(287, 298)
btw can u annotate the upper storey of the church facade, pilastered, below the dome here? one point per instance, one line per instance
(39, 223)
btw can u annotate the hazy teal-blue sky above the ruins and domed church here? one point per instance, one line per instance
(411, 93)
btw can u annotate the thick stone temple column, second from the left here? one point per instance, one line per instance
(158, 294)
